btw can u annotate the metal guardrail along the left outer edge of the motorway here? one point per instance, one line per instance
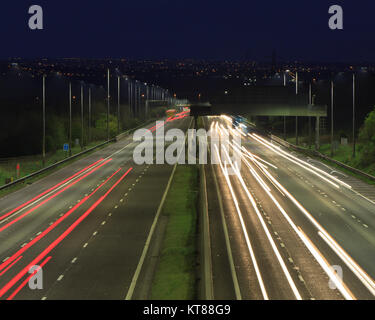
(36, 173)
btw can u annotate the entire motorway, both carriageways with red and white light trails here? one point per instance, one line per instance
(281, 226)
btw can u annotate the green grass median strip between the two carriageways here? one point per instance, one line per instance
(175, 274)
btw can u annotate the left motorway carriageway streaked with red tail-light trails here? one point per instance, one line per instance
(86, 225)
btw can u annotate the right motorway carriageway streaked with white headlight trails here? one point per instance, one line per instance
(287, 229)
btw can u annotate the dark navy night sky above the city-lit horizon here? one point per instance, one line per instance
(297, 29)
